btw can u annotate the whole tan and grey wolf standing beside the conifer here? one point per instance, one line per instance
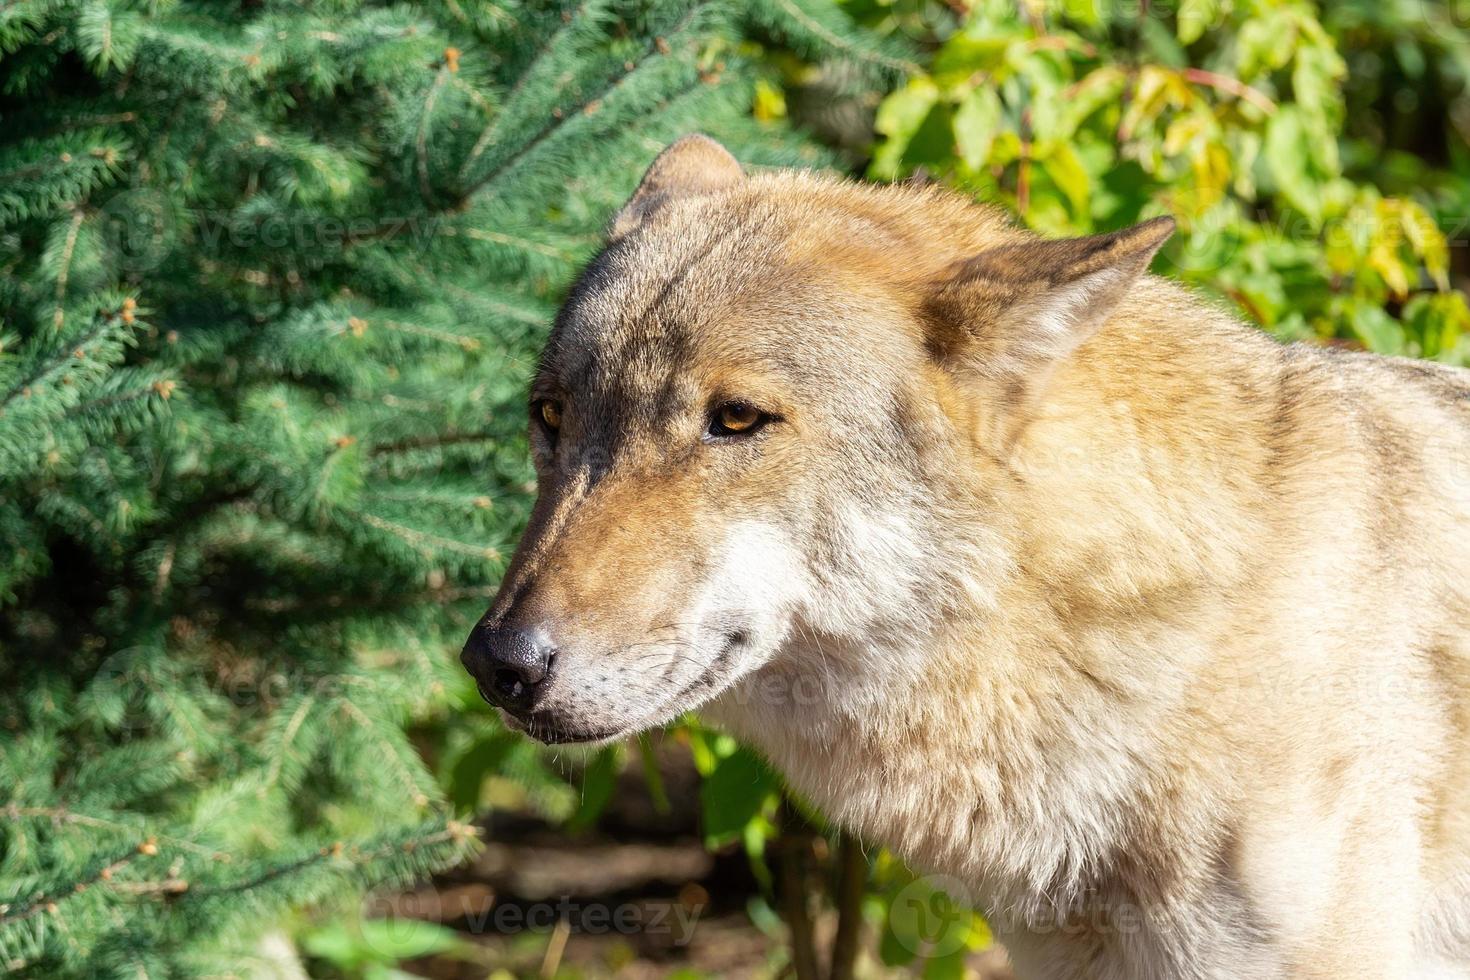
(1149, 633)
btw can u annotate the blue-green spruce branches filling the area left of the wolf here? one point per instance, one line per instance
(274, 275)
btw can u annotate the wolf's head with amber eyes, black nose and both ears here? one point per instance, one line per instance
(768, 425)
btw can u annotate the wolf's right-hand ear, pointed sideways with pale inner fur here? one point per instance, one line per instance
(1011, 315)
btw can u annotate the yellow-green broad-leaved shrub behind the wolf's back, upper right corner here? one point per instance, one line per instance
(1086, 115)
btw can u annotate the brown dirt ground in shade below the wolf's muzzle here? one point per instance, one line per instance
(639, 897)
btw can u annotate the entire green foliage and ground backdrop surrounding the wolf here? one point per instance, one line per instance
(274, 281)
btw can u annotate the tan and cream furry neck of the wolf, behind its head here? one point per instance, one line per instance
(1008, 747)
